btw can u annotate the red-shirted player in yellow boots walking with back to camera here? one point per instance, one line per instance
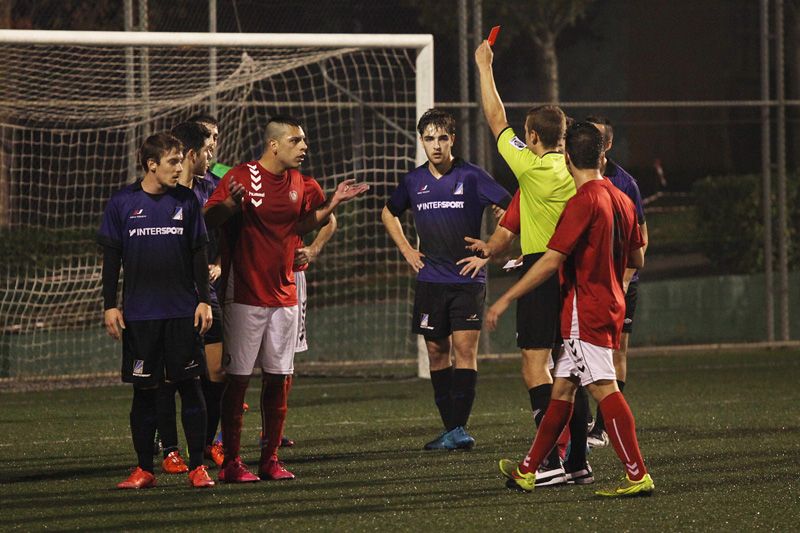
(597, 237)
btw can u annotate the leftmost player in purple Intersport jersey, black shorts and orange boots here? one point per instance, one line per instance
(154, 229)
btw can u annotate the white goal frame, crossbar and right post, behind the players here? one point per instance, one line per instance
(422, 43)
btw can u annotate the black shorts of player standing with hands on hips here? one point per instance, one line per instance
(442, 308)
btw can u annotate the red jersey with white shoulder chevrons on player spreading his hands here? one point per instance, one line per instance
(258, 244)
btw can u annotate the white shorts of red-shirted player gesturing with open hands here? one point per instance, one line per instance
(259, 336)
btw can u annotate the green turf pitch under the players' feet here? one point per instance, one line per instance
(720, 433)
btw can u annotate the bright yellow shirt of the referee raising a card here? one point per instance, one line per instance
(545, 186)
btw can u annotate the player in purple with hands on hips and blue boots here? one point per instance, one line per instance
(447, 197)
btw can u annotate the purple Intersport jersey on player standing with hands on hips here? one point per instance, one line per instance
(446, 210)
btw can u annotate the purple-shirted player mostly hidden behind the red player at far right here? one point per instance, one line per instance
(598, 438)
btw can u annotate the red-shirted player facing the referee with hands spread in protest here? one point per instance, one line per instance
(262, 206)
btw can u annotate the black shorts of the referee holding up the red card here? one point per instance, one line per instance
(538, 312)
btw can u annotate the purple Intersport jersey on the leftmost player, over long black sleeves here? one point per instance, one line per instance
(157, 235)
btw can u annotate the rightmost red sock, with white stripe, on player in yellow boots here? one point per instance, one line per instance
(621, 430)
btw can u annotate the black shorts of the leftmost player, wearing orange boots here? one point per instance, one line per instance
(153, 350)
